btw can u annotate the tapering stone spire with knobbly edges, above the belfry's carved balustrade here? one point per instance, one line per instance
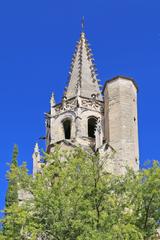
(82, 76)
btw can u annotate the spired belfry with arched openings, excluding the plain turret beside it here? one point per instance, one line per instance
(73, 121)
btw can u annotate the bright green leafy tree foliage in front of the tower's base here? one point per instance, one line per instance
(73, 198)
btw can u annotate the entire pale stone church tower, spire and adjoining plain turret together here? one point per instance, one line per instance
(102, 121)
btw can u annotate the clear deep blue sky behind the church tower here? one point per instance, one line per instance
(37, 39)
